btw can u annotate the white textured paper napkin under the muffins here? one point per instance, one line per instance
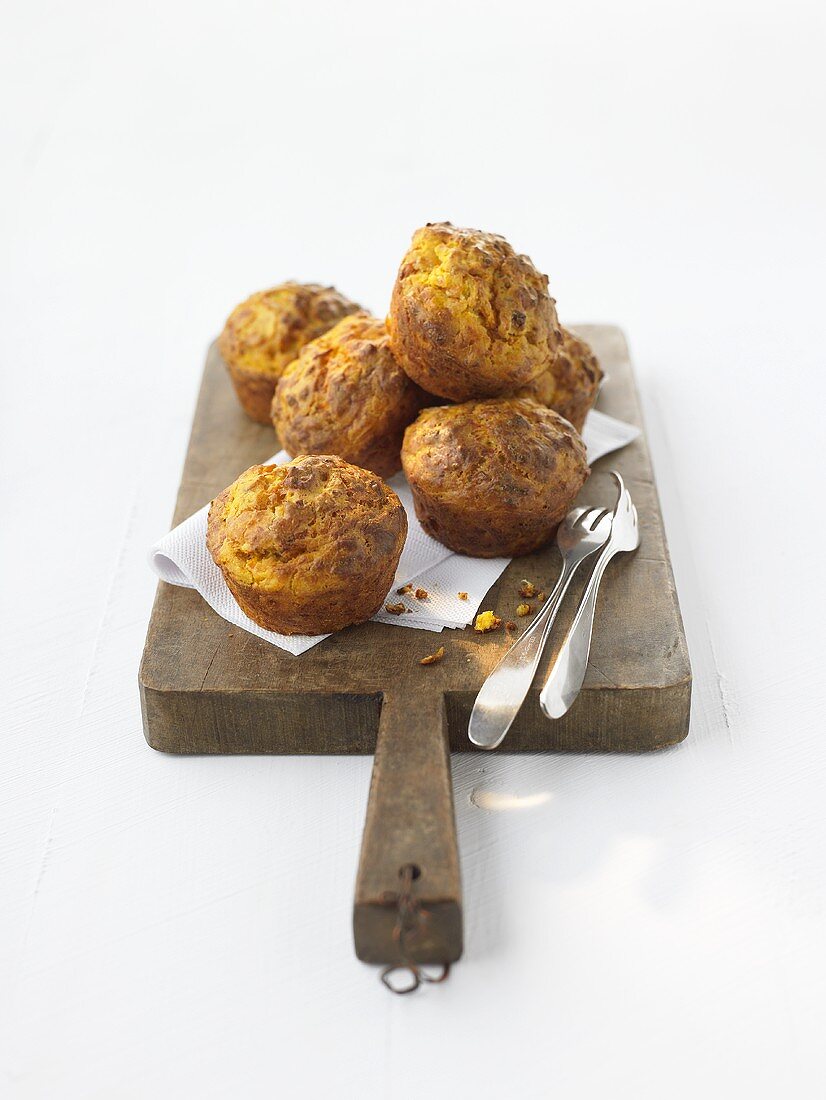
(182, 558)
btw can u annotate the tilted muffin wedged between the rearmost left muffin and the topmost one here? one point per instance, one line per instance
(347, 395)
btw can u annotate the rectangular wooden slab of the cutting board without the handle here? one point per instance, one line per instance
(207, 687)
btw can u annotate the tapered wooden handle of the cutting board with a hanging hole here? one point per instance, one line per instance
(409, 898)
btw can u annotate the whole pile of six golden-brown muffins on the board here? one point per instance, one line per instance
(472, 388)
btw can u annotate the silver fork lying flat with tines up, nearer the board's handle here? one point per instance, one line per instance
(581, 534)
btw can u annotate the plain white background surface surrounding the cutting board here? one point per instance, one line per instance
(644, 927)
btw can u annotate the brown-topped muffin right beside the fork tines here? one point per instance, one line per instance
(493, 478)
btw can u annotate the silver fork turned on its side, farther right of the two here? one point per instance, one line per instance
(568, 673)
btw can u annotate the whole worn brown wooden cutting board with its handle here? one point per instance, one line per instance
(208, 687)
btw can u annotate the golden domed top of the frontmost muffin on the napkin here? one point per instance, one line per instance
(314, 521)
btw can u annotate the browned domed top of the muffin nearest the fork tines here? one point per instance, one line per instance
(503, 452)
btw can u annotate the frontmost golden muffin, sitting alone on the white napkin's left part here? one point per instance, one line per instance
(310, 547)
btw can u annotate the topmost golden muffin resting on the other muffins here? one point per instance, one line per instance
(469, 316)
